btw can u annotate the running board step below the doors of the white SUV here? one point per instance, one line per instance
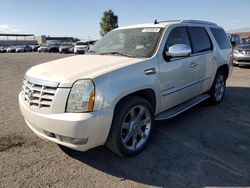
(171, 113)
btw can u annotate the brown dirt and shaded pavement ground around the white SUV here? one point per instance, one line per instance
(206, 146)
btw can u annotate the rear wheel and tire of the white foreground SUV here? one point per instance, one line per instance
(218, 88)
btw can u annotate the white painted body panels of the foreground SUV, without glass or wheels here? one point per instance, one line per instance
(116, 77)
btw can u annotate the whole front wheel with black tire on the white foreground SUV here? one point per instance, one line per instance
(131, 126)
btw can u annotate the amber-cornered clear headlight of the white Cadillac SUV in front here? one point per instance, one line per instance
(81, 97)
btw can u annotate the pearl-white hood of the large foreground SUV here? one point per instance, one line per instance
(68, 70)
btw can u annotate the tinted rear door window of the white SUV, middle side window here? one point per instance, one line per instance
(200, 39)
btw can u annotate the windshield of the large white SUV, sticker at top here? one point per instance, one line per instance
(138, 42)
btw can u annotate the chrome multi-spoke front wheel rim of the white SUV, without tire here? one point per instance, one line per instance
(136, 127)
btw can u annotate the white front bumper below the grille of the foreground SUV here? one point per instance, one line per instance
(79, 131)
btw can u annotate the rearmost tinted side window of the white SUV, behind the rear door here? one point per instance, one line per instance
(221, 38)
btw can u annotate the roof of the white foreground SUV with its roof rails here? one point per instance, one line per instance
(164, 24)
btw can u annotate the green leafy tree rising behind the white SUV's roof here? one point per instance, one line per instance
(109, 21)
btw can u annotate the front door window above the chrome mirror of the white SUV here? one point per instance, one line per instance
(178, 35)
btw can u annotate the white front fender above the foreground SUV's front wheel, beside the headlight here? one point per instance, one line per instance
(115, 85)
